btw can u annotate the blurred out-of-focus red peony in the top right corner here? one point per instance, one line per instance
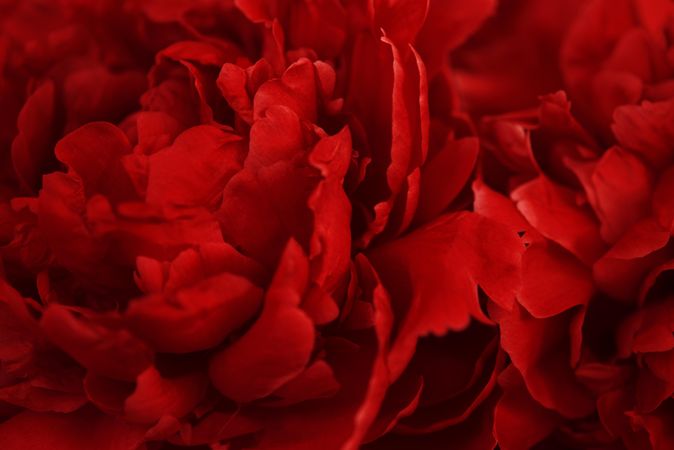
(616, 54)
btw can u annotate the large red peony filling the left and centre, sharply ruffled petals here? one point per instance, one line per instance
(251, 247)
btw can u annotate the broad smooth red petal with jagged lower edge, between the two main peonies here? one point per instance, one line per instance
(447, 259)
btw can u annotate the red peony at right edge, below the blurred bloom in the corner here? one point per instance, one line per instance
(597, 227)
